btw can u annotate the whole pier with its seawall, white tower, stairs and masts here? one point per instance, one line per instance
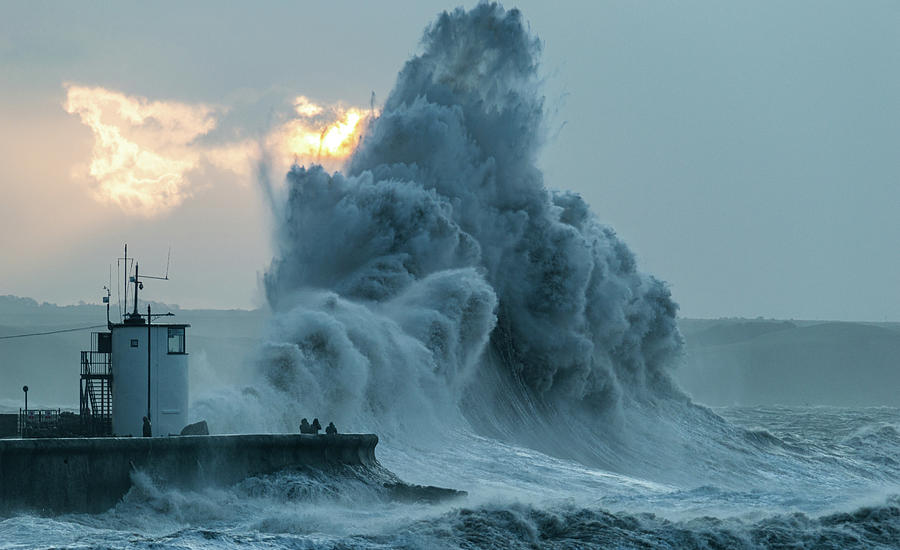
(137, 369)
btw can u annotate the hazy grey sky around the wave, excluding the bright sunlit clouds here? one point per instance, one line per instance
(746, 151)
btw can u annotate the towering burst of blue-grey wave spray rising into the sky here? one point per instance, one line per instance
(439, 256)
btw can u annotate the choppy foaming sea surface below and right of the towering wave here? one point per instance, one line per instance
(832, 481)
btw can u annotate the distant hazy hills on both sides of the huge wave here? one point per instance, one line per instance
(728, 361)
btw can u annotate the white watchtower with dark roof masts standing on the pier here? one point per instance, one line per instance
(149, 367)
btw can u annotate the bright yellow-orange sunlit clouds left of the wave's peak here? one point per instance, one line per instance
(146, 153)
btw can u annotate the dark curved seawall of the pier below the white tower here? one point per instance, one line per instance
(93, 474)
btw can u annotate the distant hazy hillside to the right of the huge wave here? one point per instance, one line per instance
(745, 362)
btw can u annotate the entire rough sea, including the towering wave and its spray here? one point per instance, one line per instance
(500, 339)
